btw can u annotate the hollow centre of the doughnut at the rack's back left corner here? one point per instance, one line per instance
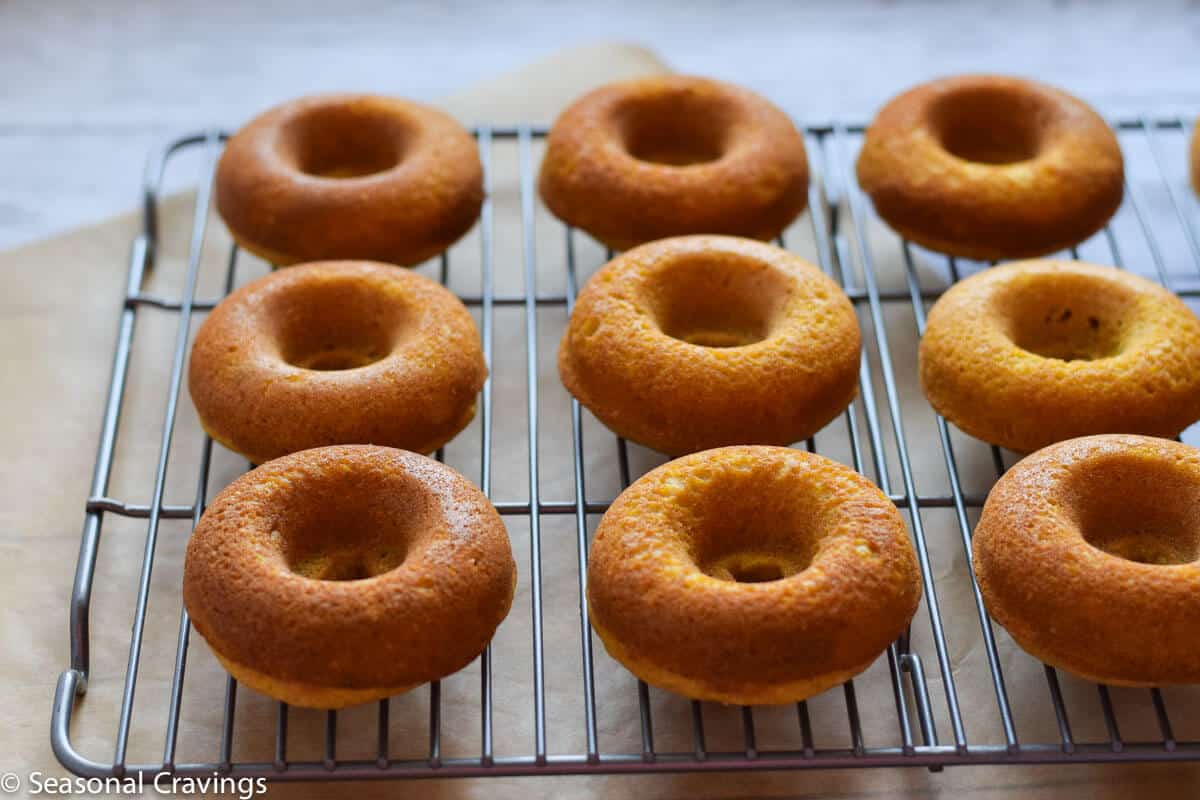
(345, 141)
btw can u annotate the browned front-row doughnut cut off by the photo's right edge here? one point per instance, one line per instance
(1089, 554)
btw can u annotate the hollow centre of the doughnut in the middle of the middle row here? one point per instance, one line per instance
(717, 302)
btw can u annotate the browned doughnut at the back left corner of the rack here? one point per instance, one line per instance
(350, 177)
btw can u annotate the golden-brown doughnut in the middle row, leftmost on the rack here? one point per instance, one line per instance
(337, 353)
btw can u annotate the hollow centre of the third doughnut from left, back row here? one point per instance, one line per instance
(989, 125)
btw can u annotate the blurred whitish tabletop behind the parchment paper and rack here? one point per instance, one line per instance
(86, 89)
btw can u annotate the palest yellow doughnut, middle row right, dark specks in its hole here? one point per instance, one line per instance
(1031, 353)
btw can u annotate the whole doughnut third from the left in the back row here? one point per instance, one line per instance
(992, 169)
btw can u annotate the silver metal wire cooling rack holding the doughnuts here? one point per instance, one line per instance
(839, 218)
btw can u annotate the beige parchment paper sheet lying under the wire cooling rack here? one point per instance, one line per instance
(59, 312)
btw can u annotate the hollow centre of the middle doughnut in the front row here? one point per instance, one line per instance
(754, 528)
